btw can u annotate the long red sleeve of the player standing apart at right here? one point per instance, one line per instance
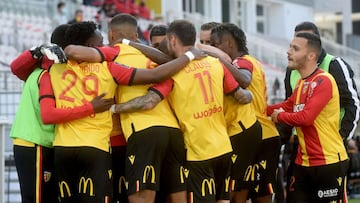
(316, 102)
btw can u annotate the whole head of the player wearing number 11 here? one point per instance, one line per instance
(181, 33)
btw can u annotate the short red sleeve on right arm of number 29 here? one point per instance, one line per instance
(122, 74)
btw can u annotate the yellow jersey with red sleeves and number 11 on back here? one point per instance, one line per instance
(197, 95)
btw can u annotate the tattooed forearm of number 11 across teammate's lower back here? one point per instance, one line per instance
(146, 102)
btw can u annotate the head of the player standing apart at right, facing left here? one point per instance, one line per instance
(304, 50)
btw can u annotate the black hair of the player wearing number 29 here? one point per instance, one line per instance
(80, 33)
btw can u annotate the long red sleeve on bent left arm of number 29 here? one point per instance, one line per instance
(52, 115)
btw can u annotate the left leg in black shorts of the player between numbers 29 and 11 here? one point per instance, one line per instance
(143, 164)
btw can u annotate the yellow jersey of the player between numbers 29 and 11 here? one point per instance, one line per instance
(161, 115)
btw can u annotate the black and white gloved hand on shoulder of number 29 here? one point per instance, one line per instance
(53, 52)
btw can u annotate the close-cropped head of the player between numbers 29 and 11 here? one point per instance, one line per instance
(123, 26)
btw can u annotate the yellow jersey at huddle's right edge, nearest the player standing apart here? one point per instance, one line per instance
(258, 89)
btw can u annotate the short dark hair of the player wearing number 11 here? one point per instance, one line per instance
(184, 30)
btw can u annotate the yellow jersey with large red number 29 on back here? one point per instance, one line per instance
(77, 83)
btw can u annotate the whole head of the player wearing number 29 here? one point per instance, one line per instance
(84, 33)
